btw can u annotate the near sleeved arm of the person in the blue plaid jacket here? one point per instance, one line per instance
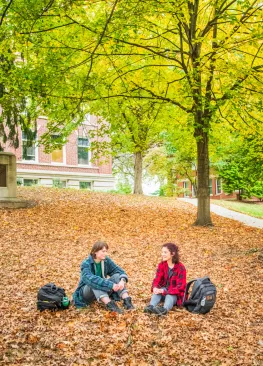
(94, 281)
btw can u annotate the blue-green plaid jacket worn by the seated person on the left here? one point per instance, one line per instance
(88, 277)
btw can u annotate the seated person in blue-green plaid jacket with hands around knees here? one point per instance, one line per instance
(101, 279)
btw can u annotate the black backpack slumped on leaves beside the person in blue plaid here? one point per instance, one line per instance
(50, 297)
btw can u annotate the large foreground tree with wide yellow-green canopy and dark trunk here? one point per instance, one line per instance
(202, 56)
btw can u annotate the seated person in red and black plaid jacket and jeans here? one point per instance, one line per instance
(169, 283)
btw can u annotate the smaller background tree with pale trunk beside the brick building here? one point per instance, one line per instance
(133, 127)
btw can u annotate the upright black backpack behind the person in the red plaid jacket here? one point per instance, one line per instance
(202, 297)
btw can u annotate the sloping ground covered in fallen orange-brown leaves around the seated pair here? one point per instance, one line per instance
(47, 243)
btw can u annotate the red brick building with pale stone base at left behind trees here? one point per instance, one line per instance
(70, 166)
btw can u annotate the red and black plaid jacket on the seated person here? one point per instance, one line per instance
(175, 285)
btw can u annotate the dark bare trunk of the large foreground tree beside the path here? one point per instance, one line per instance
(203, 196)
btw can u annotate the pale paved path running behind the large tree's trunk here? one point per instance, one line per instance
(225, 212)
